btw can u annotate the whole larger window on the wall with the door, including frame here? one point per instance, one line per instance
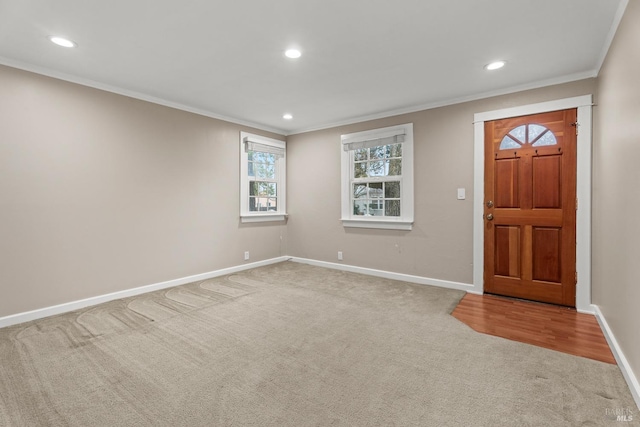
(377, 178)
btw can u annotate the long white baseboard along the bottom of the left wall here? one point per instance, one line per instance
(76, 305)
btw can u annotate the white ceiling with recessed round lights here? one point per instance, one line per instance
(361, 58)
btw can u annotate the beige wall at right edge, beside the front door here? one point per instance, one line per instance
(616, 197)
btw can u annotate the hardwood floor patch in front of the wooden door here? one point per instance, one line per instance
(554, 327)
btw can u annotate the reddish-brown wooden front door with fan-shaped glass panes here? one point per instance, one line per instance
(530, 207)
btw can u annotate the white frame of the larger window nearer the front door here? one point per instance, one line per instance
(348, 142)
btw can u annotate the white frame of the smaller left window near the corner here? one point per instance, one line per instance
(281, 178)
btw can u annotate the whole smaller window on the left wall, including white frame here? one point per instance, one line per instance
(263, 177)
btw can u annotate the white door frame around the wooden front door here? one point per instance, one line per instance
(583, 190)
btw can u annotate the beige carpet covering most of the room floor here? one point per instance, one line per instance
(292, 345)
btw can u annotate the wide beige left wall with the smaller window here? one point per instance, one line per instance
(101, 193)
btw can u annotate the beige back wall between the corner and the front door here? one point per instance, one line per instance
(440, 245)
